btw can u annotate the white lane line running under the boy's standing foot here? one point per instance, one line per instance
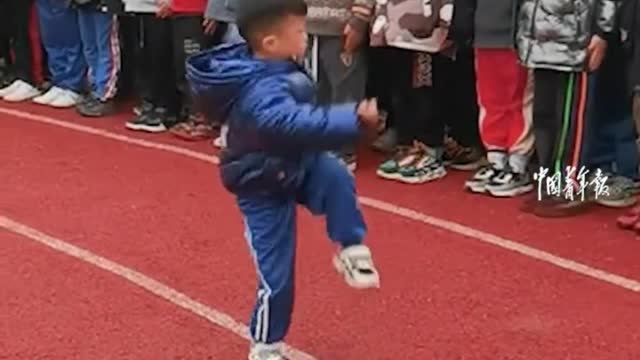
(153, 286)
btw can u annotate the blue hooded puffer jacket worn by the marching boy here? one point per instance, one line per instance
(274, 124)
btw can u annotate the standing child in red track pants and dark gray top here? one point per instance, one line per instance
(505, 96)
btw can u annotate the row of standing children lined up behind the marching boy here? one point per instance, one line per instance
(494, 87)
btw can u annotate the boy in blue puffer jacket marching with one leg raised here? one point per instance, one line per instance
(275, 156)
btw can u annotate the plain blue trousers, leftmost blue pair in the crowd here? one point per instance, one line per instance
(60, 33)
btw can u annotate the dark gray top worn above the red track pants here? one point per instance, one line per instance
(495, 24)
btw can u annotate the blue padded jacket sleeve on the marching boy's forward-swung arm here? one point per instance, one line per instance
(276, 114)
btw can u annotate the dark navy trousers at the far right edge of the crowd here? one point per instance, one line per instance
(610, 142)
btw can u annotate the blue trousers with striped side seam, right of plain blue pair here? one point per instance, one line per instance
(101, 44)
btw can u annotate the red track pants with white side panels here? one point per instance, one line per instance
(505, 97)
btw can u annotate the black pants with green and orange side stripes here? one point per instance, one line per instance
(559, 110)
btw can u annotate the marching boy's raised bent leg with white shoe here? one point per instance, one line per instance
(328, 189)
